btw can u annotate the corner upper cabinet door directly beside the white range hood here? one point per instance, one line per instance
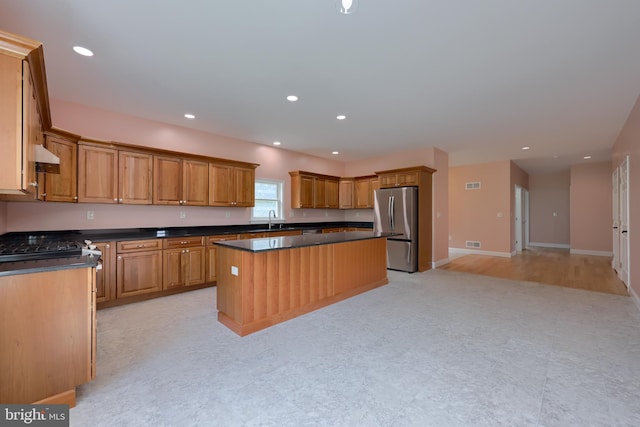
(62, 187)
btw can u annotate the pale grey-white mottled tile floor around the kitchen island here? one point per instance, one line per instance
(438, 348)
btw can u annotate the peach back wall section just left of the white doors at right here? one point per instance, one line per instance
(591, 212)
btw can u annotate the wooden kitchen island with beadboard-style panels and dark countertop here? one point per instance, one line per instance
(262, 282)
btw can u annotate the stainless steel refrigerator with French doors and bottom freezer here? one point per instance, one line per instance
(396, 211)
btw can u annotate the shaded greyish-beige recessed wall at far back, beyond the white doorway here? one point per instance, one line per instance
(548, 194)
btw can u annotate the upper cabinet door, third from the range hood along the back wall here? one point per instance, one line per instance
(135, 175)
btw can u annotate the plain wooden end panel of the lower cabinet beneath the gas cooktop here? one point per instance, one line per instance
(47, 335)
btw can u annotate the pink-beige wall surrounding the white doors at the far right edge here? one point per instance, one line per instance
(628, 143)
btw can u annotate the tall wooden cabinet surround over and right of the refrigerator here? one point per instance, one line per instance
(421, 177)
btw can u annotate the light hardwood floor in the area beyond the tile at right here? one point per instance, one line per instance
(544, 265)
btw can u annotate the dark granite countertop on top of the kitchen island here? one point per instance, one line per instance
(289, 242)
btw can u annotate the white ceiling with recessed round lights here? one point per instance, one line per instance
(479, 79)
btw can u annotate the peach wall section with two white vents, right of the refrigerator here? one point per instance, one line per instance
(481, 215)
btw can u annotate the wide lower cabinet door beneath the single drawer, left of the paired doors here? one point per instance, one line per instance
(138, 273)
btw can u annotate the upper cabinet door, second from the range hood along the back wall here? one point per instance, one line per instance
(97, 175)
